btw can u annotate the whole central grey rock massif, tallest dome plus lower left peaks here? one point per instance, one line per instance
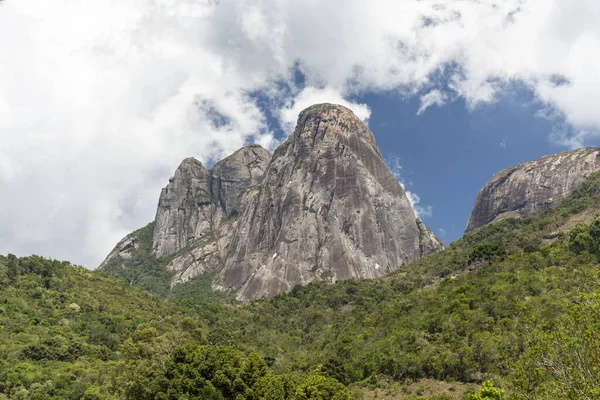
(324, 207)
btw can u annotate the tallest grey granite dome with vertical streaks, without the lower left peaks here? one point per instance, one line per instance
(328, 208)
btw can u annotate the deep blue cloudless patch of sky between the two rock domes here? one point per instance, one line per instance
(447, 153)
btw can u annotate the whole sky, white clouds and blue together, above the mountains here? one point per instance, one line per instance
(100, 101)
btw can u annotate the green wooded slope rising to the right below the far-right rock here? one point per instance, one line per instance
(474, 311)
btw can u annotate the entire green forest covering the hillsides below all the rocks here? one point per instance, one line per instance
(512, 308)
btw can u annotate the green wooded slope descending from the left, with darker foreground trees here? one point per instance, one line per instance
(69, 333)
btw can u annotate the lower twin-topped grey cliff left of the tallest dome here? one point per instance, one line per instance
(193, 215)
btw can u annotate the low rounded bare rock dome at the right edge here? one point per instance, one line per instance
(533, 186)
